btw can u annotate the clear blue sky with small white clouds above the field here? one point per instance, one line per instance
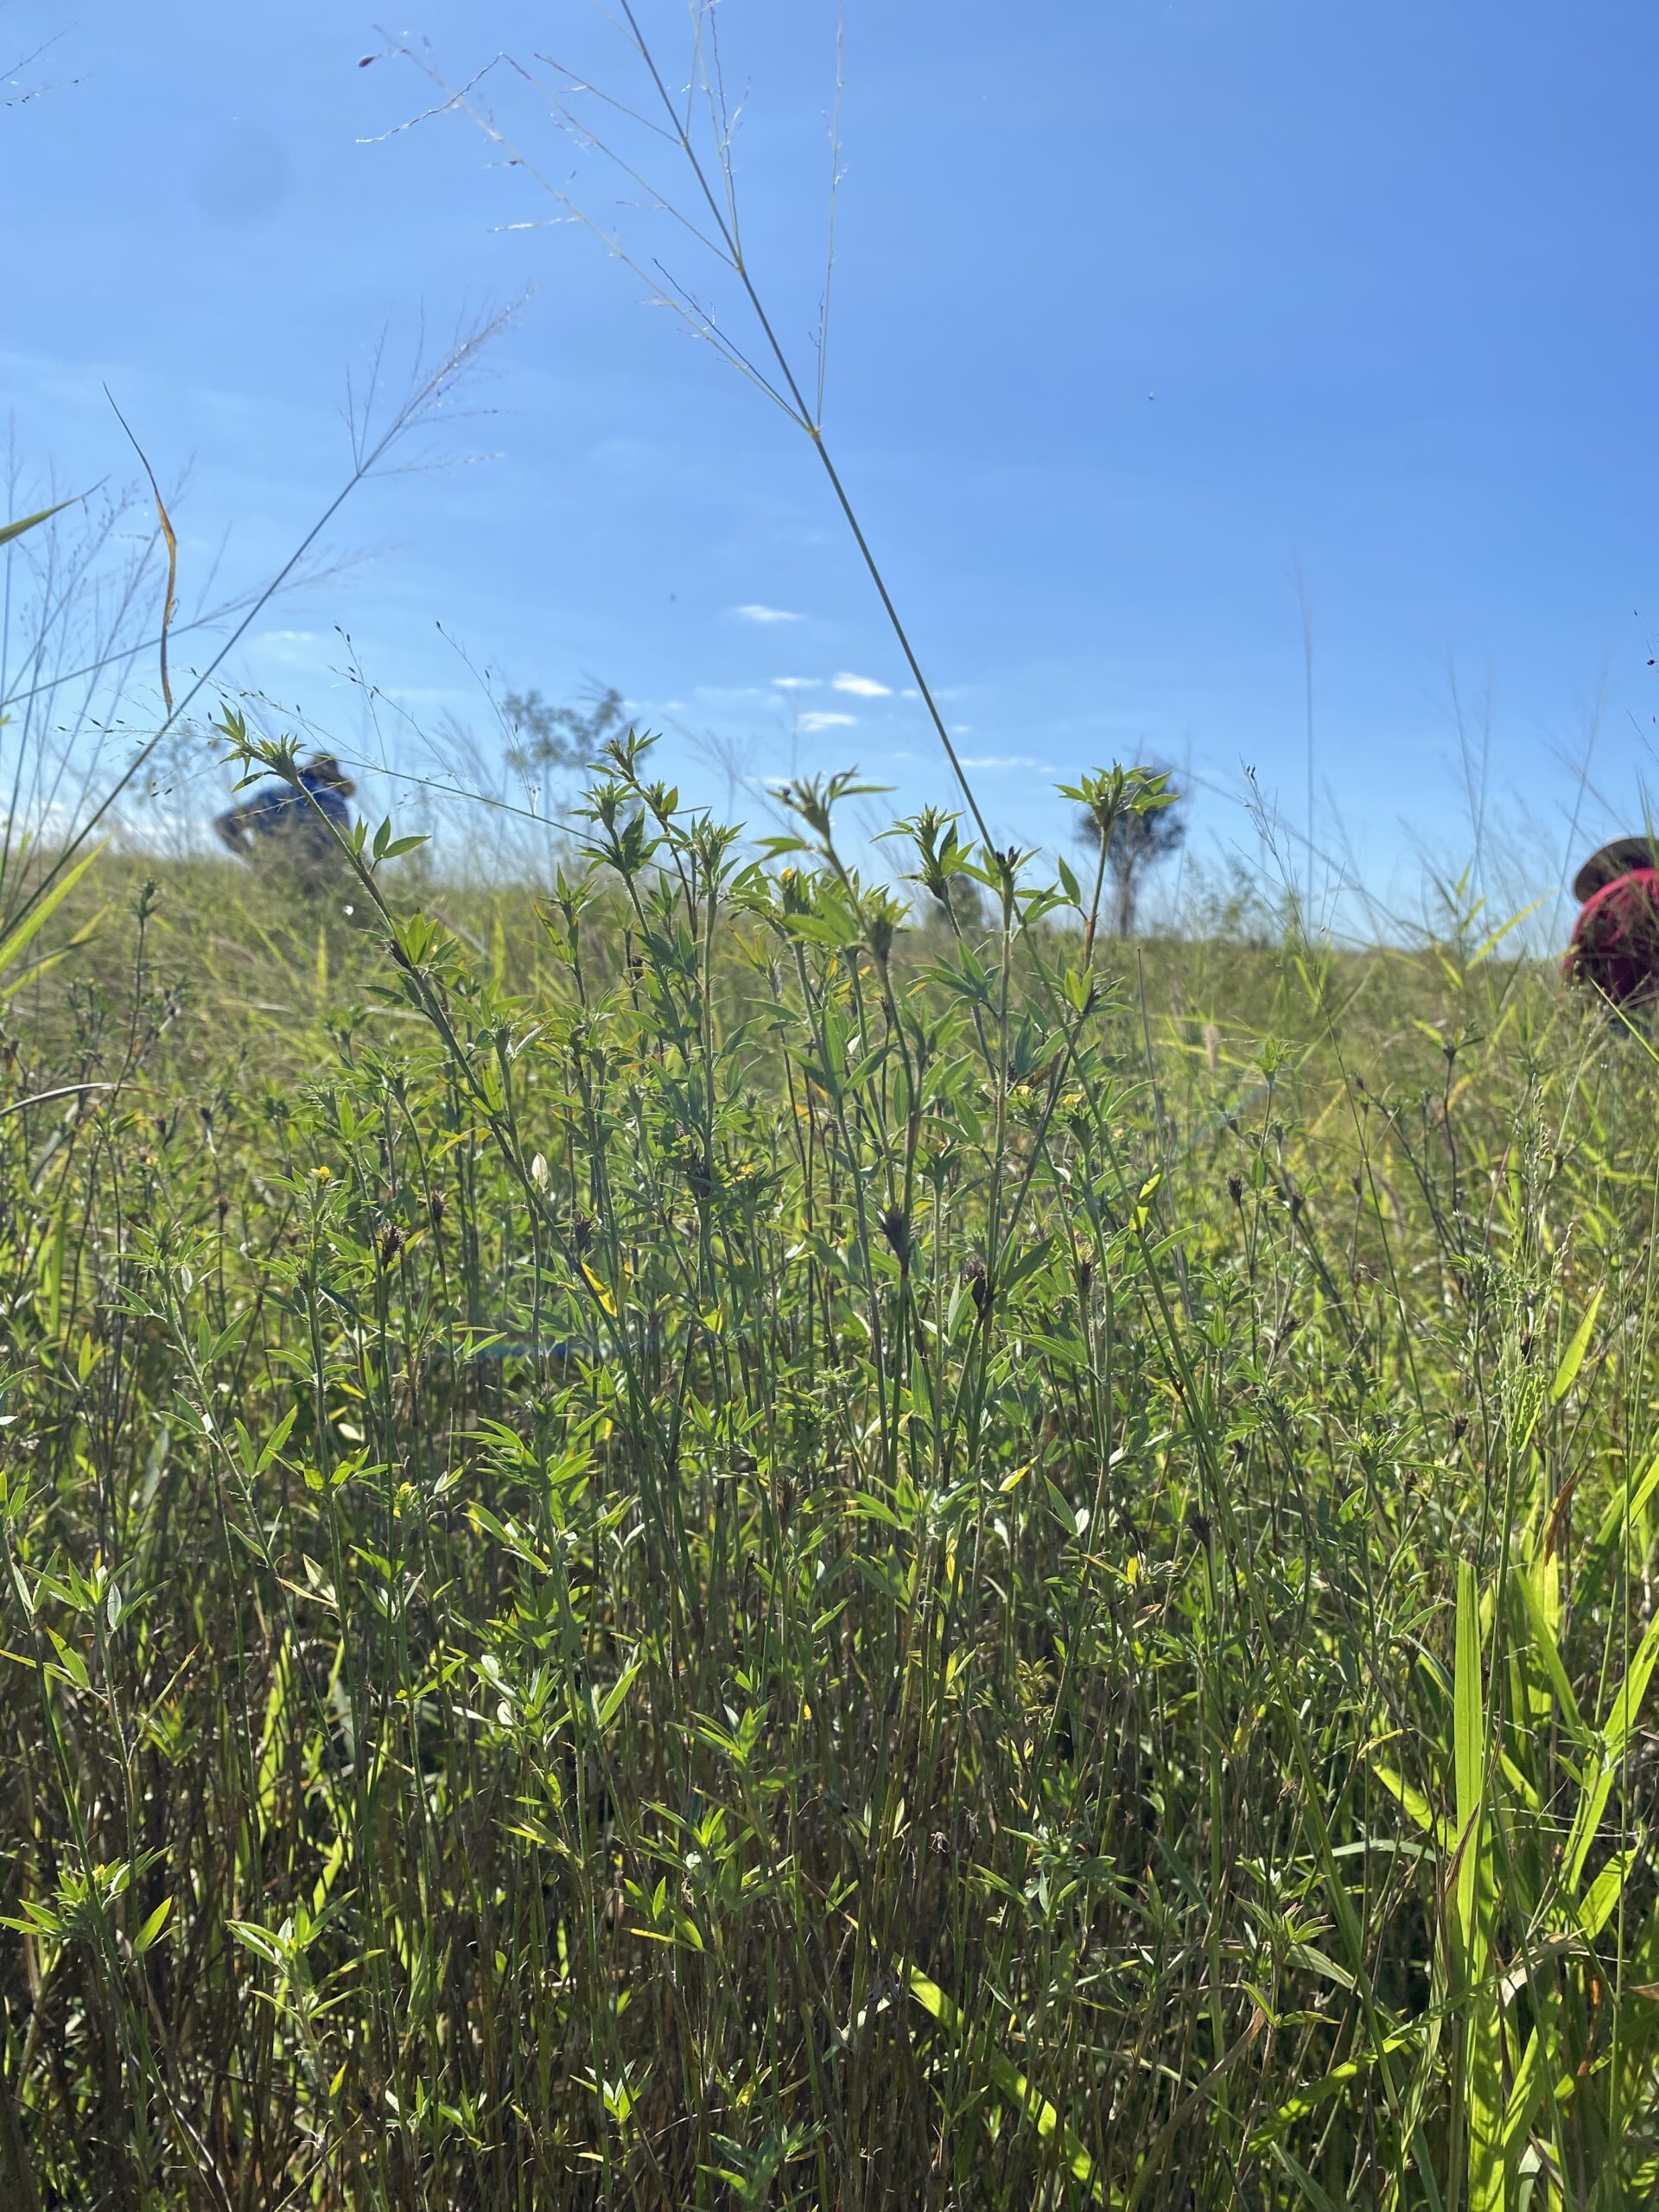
(1140, 313)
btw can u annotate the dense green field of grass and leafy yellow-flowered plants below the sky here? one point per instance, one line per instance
(696, 1545)
